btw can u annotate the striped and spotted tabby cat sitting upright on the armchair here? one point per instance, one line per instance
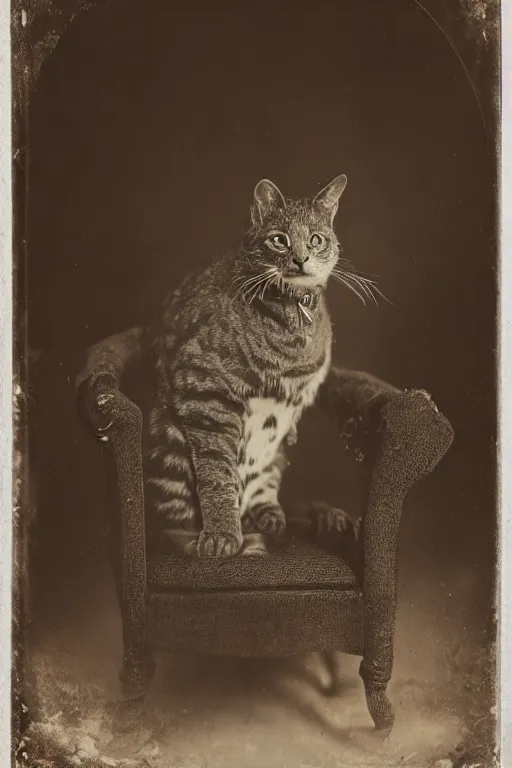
(242, 349)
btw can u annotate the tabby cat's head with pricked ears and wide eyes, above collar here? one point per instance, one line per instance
(295, 238)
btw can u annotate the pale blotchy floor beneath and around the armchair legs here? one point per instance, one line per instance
(226, 713)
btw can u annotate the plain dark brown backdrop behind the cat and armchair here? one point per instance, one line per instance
(150, 126)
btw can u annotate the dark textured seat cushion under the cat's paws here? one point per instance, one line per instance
(290, 564)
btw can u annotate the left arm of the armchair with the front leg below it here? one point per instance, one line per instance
(117, 422)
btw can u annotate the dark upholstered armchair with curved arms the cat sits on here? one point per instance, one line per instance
(320, 588)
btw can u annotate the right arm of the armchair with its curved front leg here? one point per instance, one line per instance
(408, 436)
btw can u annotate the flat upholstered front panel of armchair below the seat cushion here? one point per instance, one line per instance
(271, 622)
